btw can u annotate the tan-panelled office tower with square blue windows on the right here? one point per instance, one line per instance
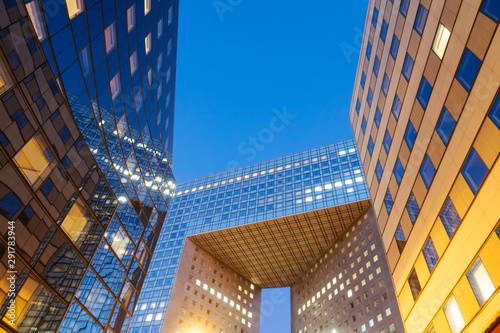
(426, 119)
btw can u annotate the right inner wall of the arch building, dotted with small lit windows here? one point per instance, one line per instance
(349, 288)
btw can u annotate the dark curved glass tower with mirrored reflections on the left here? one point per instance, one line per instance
(86, 93)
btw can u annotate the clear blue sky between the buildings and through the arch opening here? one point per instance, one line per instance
(261, 79)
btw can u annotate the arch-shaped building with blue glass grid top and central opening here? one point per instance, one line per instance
(302, 220)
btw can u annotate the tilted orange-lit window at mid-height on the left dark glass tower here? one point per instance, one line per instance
(34, 159)
